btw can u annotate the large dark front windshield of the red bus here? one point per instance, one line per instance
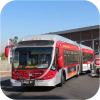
(32, 57)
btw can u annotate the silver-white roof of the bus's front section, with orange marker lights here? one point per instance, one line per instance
(49, 37)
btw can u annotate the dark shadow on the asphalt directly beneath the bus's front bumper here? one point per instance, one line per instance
(5, 85)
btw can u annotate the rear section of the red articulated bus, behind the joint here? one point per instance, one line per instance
(86, 58)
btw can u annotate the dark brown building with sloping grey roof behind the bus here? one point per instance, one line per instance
(89, 36)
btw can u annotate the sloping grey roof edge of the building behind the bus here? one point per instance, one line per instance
(76, 30)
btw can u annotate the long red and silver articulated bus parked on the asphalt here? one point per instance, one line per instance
(48, 60)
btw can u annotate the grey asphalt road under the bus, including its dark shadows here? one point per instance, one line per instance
(83, 87)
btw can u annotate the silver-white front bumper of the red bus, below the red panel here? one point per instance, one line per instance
(49, 82)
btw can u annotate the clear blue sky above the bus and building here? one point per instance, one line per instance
(32, 17)
